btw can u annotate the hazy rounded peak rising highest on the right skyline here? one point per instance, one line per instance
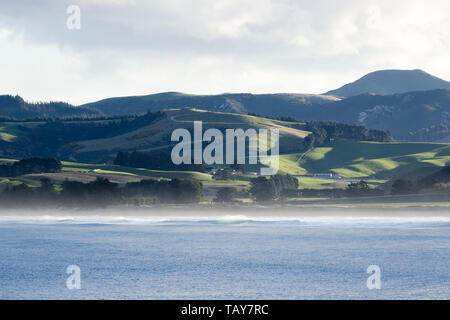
(387, 82)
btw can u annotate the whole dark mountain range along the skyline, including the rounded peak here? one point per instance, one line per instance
(417, 115)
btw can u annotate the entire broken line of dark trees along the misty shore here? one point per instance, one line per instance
(102, 192)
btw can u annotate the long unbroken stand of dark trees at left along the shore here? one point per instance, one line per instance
(102, 193)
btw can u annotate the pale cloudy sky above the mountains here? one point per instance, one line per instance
(138, 47)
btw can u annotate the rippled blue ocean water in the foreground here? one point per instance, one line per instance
(224, 257)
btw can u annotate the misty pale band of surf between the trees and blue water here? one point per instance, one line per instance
(214, 211)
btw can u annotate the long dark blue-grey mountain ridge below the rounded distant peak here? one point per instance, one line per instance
(407, 116)
